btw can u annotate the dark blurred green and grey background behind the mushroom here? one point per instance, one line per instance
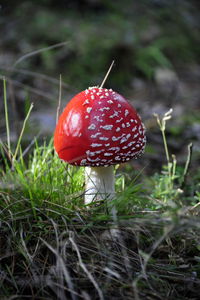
(156, 48)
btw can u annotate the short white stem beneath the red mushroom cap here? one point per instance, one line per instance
(99, 183)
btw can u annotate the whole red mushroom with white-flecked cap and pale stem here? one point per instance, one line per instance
(98, 129)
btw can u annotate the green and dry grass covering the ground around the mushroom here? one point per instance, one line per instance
(53, 247)
